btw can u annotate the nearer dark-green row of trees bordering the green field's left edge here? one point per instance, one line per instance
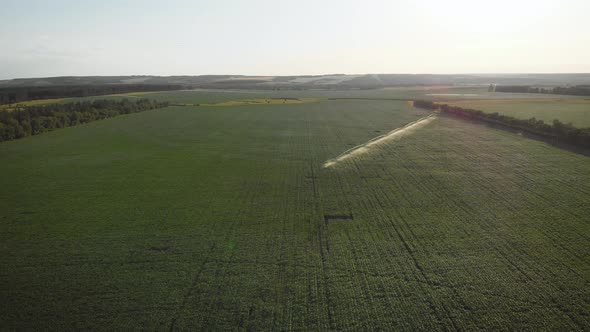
(33, 120)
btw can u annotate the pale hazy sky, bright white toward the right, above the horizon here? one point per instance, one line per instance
(264, 37)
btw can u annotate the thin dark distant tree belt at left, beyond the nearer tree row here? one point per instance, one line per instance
(18, 94)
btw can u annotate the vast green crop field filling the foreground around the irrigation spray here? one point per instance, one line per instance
(225, 218)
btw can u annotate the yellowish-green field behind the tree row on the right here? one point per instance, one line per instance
(574, 110)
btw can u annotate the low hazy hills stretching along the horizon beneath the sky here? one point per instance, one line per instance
(305, 82)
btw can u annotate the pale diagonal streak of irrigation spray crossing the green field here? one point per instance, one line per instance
(393, 135)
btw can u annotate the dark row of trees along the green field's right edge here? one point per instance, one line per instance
(557, 131)
